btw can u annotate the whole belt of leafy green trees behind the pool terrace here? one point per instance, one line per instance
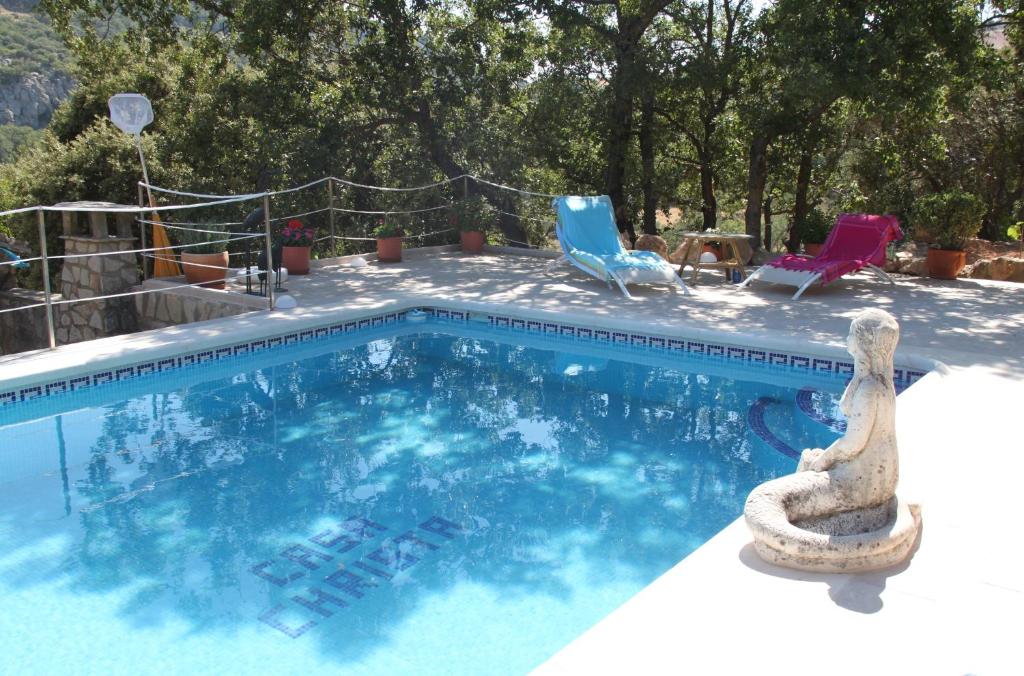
(884, 101)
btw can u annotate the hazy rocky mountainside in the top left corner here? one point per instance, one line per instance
(34, 74)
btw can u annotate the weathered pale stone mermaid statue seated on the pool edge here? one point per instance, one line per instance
(839, 513)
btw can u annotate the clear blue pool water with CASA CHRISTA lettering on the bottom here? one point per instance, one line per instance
(425, 503)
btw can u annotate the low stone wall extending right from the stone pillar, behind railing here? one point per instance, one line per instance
(181, 305)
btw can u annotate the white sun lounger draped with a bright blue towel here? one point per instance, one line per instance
(587, 233)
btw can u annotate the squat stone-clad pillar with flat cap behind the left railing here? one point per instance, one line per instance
(97, 276)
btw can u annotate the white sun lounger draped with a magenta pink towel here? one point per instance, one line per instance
(857, 242)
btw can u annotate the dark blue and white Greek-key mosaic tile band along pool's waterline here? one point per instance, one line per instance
(904, 377)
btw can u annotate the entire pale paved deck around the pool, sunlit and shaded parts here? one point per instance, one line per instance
(958, 608)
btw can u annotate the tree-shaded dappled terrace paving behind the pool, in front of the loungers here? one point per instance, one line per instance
(963, 323)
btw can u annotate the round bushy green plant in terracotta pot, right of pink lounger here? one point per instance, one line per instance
(950, 220)
